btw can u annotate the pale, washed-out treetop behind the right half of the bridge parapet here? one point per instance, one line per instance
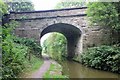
(72, 4)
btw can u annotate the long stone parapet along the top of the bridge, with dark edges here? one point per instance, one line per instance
(48, 13)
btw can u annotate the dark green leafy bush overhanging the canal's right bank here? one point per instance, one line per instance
(103, 58)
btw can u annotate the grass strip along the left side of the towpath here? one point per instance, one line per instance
(31, 66)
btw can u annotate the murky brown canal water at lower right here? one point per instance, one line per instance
(77, 70)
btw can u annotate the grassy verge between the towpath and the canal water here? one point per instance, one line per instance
(55, 71)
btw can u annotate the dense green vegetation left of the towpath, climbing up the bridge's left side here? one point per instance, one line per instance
(15, 55)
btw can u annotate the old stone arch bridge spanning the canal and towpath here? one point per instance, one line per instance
(72, 23)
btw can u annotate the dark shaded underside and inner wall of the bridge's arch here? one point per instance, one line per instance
(71, 33)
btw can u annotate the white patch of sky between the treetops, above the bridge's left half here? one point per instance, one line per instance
(44, 4)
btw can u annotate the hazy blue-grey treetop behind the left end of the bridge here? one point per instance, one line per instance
(20, 5)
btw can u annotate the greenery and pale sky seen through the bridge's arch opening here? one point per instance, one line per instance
(54, 44)
